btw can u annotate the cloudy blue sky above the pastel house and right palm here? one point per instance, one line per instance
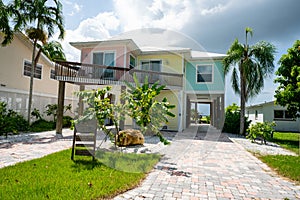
(213, 25)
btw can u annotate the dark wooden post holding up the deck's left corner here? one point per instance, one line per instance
(60, 107)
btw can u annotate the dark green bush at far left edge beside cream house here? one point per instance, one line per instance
(11, 121)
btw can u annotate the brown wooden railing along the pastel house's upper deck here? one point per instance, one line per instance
(83, 73)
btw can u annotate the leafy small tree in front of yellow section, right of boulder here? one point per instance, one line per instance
(142, 106)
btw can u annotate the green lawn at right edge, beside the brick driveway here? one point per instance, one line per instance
(287, 166)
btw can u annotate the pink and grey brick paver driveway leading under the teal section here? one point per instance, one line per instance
(206, 169)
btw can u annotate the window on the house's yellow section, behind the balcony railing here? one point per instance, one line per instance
(151, 65)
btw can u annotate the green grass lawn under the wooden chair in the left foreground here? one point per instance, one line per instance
(57, 177)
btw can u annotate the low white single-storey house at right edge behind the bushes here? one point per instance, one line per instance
(270, 112)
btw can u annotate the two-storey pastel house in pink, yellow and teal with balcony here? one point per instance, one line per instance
(189, 76)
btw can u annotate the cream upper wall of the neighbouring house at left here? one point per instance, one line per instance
(12, 61)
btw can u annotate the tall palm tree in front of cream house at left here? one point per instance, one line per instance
(38, 18)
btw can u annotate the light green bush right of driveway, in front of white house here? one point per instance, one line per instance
(263, 131)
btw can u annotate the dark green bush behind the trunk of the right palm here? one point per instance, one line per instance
(232, 122)
